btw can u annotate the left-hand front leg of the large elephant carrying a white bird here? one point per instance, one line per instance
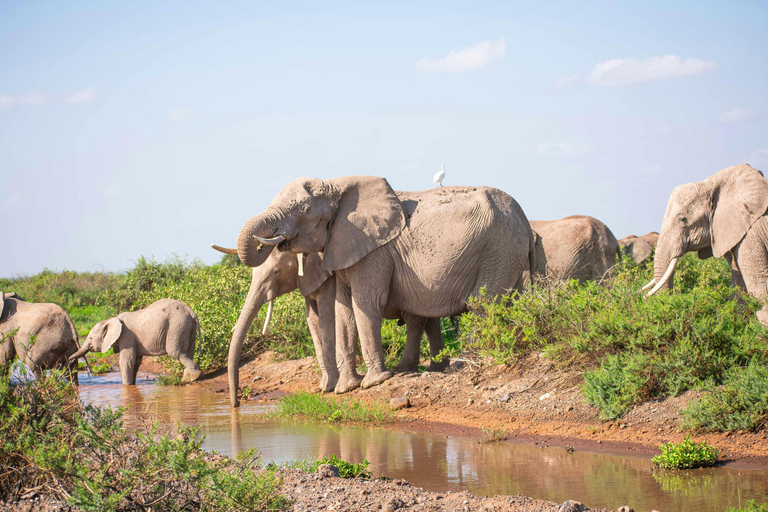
(346, 340)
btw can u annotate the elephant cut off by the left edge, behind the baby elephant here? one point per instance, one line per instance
(55, 336)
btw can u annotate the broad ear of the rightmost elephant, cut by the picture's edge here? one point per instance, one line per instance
(740, 198)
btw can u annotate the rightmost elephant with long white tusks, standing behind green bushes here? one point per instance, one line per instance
(724, 215)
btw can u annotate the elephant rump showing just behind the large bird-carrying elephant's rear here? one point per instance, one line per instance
(576, 247)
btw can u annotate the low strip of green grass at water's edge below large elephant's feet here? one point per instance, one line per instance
(328, 409)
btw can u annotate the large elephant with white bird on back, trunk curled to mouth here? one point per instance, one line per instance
(424, 253)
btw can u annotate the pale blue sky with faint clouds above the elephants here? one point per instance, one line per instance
(143, 128)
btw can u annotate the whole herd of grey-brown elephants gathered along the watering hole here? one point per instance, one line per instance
(360, 252)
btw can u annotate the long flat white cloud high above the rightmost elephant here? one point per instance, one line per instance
(635, 71)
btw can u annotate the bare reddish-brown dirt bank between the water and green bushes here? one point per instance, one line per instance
(534, 401)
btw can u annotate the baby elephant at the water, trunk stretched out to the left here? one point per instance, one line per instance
(165, 327)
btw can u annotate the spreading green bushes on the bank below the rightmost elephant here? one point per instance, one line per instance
(632, 349)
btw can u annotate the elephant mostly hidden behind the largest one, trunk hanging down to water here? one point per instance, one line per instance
(279, 275)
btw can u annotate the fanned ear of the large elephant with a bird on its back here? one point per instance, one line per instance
(368, 216)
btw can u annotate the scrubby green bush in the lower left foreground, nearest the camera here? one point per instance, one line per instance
(53, 444)
